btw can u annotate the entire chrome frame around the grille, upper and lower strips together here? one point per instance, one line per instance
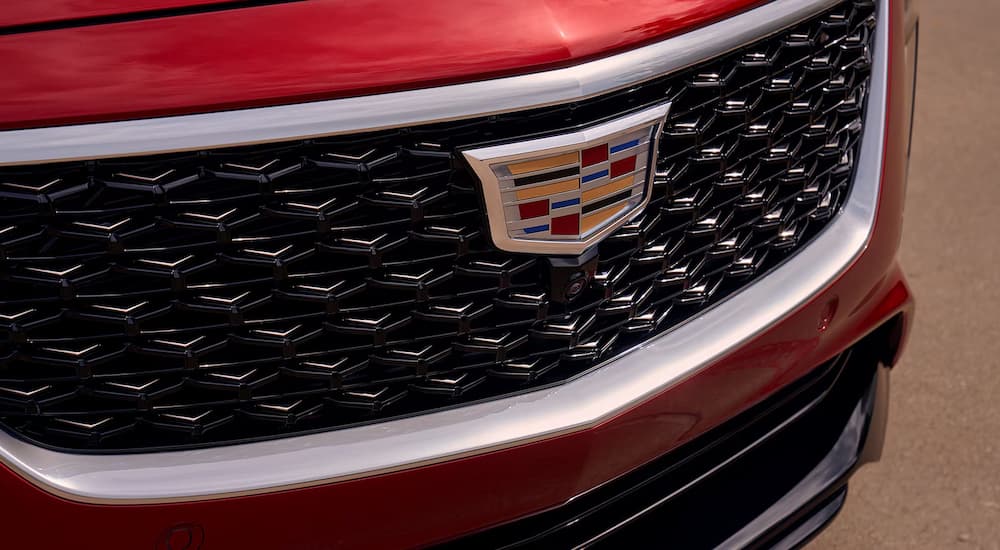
(314, 459)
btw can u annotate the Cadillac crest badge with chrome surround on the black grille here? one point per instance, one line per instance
(569, 188)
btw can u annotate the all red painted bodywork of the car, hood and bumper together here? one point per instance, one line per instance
(80, 62)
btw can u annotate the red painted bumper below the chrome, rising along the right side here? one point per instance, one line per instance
(440, 501)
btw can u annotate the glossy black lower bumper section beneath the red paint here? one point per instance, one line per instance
(773, 476)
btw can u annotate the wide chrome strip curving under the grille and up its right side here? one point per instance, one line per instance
(315, 459)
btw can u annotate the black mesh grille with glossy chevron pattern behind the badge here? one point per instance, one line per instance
(235, 294)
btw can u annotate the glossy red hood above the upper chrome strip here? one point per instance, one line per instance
(69, 61)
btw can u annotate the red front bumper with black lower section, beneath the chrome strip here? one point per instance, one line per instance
(768, 484)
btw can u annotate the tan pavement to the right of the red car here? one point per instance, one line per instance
(938, 484)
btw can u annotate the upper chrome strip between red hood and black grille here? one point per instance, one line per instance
(393, 110)
